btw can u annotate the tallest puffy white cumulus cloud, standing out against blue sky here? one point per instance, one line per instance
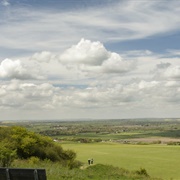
(93, 56)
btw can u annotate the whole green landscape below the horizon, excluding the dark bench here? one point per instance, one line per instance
(124, 149)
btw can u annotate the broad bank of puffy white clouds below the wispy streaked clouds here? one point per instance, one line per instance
(88, 78)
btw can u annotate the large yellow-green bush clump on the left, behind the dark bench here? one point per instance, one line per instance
(23, 144)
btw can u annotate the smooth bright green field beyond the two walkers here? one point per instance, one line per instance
(159, 160)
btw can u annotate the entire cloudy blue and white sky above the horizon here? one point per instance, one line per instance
(89, 59)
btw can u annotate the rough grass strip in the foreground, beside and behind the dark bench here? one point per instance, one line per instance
(55, 171)
